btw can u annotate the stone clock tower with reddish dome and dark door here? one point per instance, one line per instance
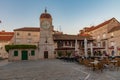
(46, 44)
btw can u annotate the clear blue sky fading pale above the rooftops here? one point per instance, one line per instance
(69, 16)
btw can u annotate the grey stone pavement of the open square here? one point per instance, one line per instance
(52, 70)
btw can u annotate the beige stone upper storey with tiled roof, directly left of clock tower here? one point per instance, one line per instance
(27, 35)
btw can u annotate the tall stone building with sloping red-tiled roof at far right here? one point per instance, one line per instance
(106, 36)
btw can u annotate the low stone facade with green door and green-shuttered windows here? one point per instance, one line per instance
(22, 54)
